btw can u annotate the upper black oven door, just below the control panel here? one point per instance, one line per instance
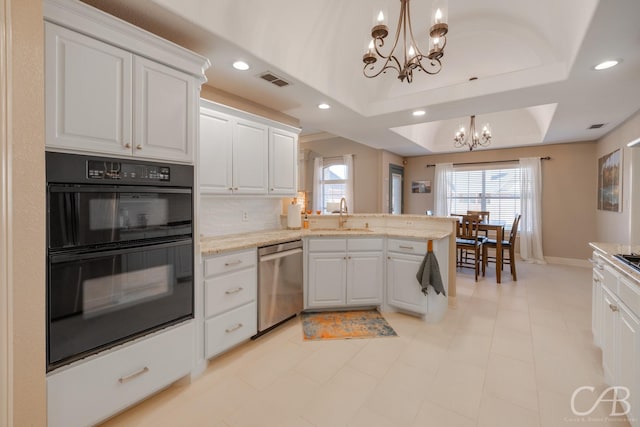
(88, 215)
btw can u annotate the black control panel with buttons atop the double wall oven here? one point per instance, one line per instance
(110, 170)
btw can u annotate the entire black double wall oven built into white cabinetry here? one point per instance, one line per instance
(119, 252)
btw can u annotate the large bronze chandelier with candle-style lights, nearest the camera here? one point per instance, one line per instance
(412, 56)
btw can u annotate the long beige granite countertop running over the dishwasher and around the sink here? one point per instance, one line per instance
(220, 244)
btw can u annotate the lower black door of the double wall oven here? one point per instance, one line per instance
(102, 298)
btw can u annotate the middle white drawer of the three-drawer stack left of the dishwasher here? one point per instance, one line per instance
(228, 291)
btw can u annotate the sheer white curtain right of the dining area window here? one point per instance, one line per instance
(531, 210)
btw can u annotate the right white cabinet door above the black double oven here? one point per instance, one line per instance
(165, 110)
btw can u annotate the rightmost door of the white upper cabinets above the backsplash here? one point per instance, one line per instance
(283, 162)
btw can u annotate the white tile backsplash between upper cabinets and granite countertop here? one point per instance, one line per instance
(220, 216)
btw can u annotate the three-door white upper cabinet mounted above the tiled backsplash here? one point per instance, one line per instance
(245, 154)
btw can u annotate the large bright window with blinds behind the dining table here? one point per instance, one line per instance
(494, 190)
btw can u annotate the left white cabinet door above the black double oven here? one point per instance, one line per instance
(88, 93)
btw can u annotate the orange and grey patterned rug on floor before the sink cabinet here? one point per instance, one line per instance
(345, 324)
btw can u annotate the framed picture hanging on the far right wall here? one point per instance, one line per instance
(610, 182)
